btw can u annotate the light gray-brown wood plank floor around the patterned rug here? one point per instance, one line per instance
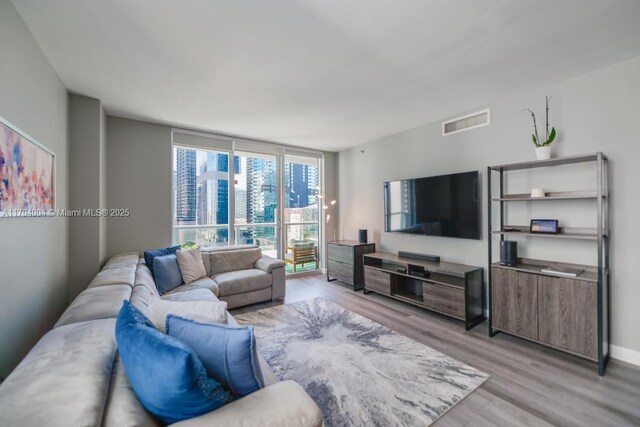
(530, 384)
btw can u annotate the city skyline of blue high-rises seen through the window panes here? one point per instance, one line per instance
(201, 197)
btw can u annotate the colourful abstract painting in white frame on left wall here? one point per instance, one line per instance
(27, 174)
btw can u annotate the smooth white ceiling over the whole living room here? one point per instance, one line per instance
(323, 74)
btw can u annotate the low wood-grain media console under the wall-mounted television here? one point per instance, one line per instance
(451, 289)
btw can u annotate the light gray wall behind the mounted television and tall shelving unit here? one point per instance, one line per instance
(598, 111)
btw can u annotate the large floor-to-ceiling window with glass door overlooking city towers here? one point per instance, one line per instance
(231, 197)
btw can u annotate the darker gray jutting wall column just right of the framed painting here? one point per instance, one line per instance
(87, 190)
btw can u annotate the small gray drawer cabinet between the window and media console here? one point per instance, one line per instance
(344, 261)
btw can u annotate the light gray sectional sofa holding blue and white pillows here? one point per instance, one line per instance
(73, 375)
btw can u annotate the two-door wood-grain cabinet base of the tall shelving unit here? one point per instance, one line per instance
(556, 311)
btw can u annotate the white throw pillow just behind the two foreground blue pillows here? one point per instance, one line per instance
(199, 311)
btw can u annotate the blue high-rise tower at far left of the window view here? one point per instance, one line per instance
(185, 186)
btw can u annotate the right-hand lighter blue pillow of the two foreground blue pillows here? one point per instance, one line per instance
(228, 353)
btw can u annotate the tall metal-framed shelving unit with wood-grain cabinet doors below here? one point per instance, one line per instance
(567, 309)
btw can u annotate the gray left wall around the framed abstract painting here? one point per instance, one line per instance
(33, 251)
